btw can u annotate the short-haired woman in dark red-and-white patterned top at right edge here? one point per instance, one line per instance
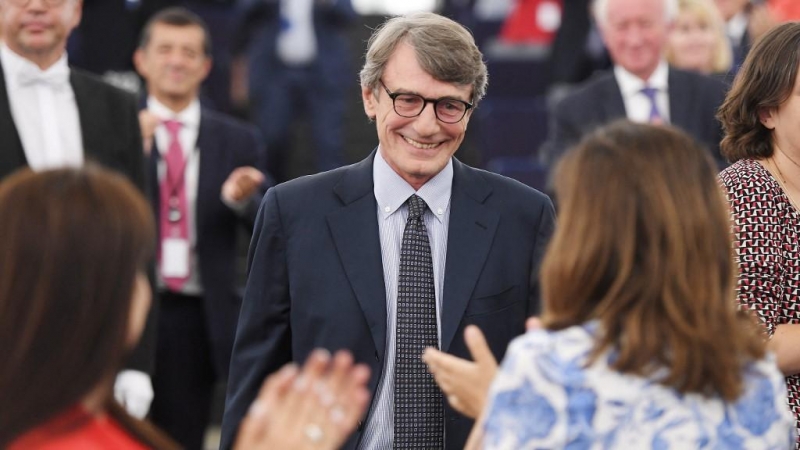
(761, 119)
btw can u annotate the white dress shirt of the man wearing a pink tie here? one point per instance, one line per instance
(190, 120)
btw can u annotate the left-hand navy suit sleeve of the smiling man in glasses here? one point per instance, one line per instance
(263, 335)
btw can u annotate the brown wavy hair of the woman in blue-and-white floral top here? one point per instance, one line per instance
(643, 245)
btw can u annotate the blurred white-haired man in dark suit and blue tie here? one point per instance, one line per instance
(641, 87)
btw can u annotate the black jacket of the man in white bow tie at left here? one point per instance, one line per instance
(111, 137)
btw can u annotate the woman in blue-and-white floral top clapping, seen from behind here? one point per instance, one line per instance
(640, 345)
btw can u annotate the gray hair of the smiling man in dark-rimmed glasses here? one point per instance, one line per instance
(444, 49)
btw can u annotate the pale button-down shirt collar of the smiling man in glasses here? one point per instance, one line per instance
(392, 191)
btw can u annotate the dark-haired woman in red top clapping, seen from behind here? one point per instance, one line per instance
(74, 245)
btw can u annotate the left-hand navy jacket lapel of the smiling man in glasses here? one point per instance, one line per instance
(355, 232)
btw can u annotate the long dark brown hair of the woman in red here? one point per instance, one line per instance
(71, 244)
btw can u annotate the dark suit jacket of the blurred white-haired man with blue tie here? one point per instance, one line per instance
(693, 102)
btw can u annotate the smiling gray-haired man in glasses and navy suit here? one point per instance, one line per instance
(398, 252)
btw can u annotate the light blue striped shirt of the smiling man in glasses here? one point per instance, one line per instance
(391, 193)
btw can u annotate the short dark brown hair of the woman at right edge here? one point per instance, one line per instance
(764, 82)
